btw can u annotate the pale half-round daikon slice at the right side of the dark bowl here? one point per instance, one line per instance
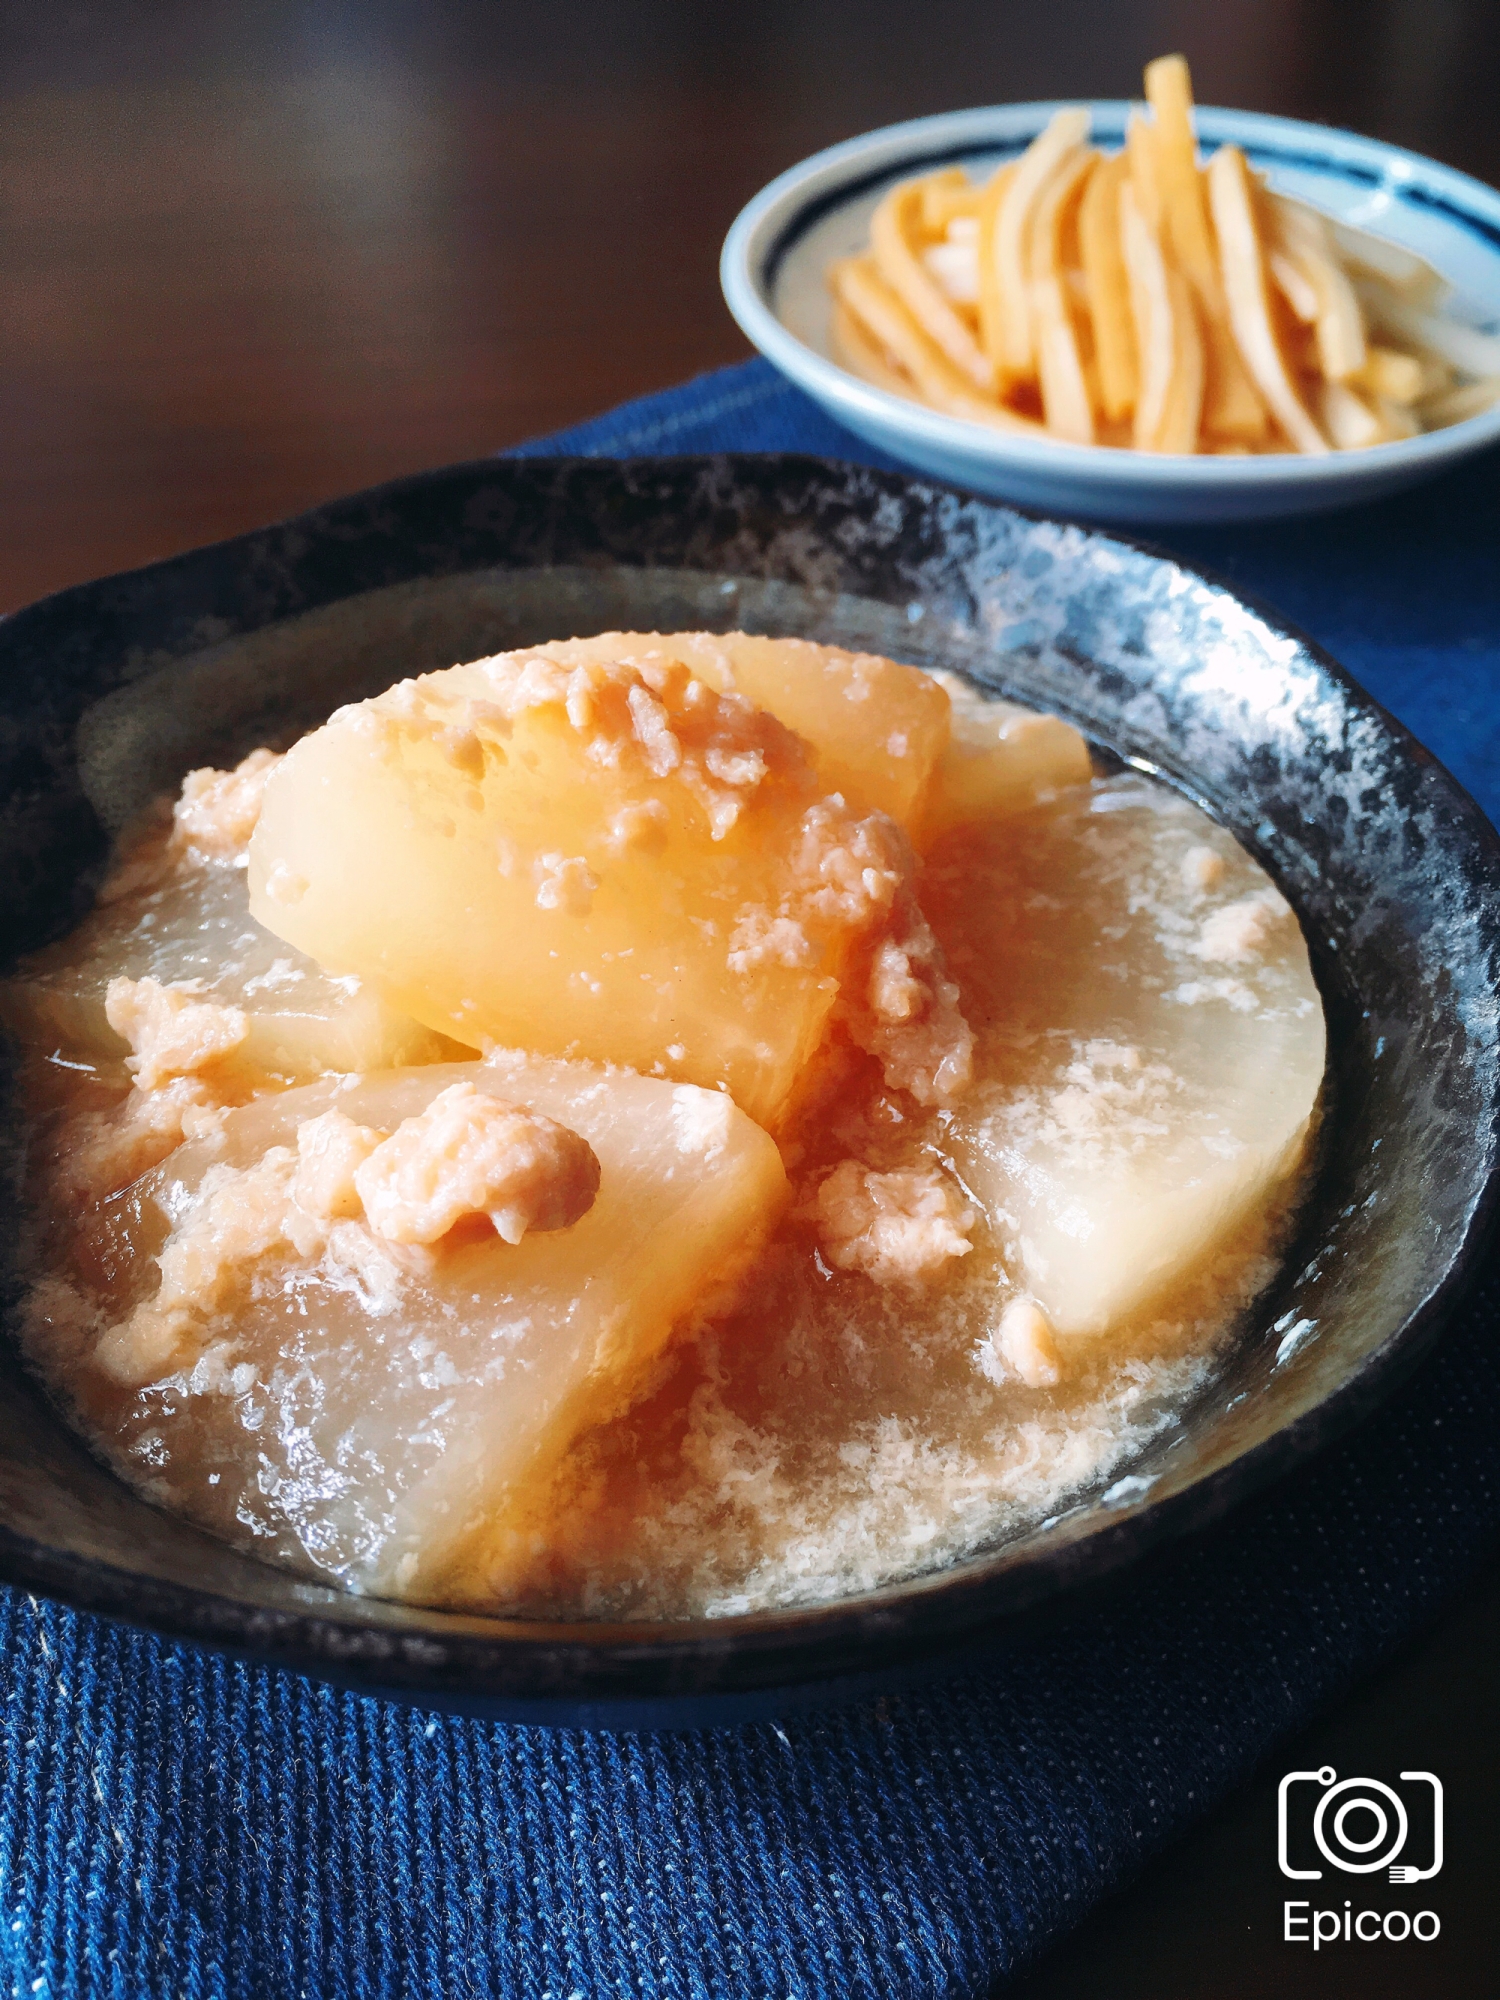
(1149, 1043)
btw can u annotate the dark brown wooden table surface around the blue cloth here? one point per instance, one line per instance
(255, 257)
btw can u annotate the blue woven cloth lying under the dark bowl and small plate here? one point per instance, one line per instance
(179, 1825)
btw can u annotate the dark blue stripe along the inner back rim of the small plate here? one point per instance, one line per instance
(1269, 143)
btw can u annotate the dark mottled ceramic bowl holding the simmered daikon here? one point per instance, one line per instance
(115, 689)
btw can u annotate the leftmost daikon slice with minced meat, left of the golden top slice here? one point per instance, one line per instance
(177, 911)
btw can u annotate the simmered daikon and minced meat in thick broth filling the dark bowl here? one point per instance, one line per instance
(657, 1127)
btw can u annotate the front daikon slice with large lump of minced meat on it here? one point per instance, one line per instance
(295, 1335)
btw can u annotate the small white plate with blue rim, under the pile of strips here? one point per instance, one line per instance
(781, 245)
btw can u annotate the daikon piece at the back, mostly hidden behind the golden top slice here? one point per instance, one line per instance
(877, 729)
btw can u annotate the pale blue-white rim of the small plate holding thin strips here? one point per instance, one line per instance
(773, 219)
